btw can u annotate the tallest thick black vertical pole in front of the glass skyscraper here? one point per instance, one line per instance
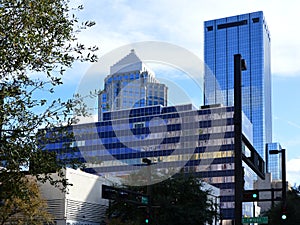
(238, 174)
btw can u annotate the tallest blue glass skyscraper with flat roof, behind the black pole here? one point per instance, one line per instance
(248, 35)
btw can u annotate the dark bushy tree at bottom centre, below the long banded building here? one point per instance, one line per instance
(177, 200)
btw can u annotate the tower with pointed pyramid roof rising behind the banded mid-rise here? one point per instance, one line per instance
(130, 84)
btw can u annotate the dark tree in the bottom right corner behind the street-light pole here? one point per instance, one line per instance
(292, 210)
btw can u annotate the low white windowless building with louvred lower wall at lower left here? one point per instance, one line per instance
(81, 204)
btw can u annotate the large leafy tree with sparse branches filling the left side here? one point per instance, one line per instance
(37, 44)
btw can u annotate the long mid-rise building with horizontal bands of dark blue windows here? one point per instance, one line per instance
(199, 141)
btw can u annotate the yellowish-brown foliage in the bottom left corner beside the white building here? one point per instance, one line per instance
(27, 210)
